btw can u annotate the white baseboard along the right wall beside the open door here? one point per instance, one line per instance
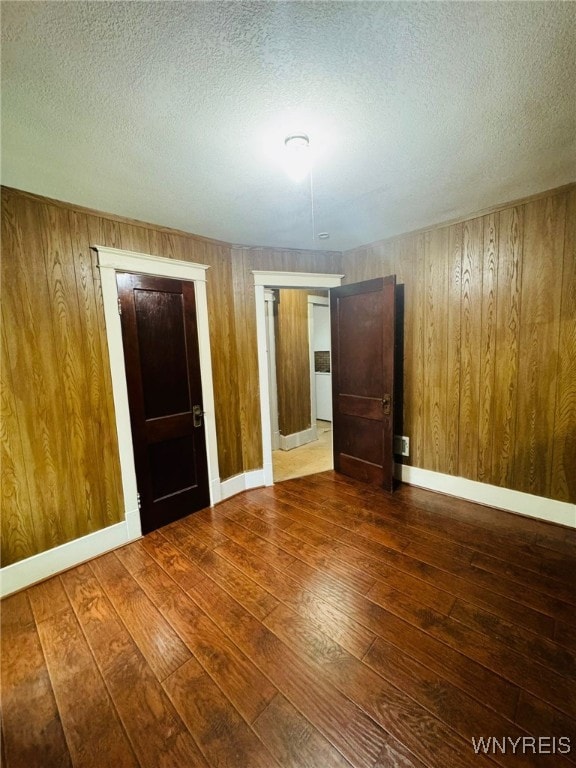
(492, 495)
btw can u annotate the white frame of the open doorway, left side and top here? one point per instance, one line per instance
(263, 280)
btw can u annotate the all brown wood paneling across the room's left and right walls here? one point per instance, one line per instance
(490, 353)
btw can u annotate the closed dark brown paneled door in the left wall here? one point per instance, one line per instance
(160, 340)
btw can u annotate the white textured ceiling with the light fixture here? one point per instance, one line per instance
(176, 112)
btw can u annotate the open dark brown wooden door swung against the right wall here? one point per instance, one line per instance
(362, 320)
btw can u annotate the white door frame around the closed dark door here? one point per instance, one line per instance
(110, 261)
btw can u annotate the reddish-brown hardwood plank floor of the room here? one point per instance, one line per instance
(317, 624)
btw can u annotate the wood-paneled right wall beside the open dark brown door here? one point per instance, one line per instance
(490, 343)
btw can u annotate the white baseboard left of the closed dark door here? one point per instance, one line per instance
(45, 564)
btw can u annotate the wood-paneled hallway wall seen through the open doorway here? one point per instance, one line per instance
(293, 361)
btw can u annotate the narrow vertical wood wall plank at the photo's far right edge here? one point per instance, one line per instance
(563, 481)
